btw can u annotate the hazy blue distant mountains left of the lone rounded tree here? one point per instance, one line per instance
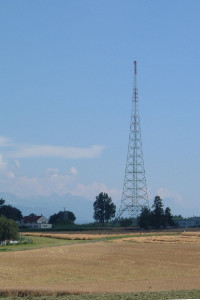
(81, 207)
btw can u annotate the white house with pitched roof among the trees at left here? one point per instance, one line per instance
(36, 222)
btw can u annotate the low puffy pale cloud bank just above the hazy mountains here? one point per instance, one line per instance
(52, 181)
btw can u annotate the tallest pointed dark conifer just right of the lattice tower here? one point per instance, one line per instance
(158, 215)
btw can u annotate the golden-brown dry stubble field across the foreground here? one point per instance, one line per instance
(129, 264)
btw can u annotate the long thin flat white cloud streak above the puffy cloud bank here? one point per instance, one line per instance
(56, 151)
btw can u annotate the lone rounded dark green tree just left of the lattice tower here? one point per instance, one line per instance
(104, 208)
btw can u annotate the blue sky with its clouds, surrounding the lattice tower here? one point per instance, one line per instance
(66, 83)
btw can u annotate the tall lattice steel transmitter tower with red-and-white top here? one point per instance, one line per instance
(134, 194)
